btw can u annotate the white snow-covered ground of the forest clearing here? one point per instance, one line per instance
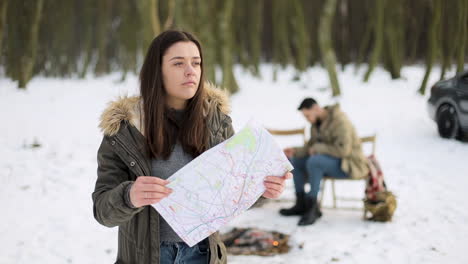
(46, 214)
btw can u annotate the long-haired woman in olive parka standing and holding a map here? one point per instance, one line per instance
(147, 139)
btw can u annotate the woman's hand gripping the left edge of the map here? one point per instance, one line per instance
(148, 190)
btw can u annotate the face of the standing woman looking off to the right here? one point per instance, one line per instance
(181, 70)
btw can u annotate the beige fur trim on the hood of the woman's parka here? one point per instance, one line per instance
(129, 109)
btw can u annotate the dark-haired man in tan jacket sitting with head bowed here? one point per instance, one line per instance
(334, 150)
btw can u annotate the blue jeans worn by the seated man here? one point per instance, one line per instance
(315, 167)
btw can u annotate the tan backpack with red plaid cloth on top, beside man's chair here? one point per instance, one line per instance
(380, 202)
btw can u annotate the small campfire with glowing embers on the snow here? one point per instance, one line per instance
(253, 241)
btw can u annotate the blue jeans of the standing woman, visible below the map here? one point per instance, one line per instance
(181, 253)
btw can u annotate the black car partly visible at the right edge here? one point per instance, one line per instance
(448, 106)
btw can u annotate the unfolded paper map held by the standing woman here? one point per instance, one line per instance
(221, 183)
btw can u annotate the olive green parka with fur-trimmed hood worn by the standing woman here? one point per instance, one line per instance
(121, 160)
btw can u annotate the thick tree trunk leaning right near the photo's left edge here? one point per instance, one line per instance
(29, 57)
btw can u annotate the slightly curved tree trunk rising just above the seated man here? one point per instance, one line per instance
(325, 43)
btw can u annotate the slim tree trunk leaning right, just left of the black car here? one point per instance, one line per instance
(433, 38)
